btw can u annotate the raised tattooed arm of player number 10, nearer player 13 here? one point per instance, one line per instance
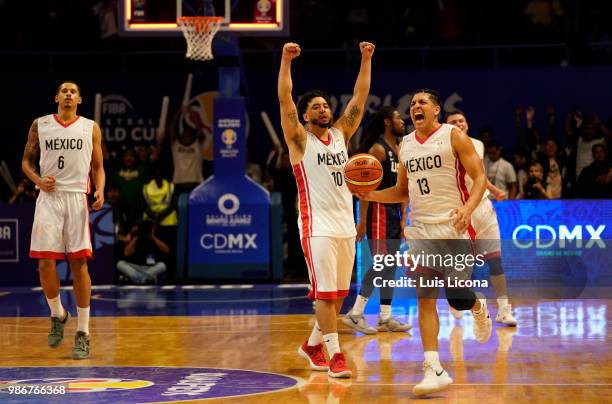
(351, 117)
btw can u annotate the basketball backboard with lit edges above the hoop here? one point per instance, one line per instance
(240, 17)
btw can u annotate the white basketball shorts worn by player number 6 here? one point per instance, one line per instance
(61, 226)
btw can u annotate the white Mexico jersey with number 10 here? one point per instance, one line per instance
(326, 204)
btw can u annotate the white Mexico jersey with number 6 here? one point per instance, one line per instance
(65, 152)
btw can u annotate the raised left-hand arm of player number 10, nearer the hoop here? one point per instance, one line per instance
(294, 132)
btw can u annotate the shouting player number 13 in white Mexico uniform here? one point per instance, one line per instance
(435, 159)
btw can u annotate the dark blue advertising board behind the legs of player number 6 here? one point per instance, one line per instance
(18, 269)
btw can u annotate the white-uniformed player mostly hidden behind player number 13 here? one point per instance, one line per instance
(485, 223)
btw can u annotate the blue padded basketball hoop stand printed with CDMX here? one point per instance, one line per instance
(229, 214)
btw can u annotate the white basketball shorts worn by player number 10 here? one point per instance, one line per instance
(330, 266)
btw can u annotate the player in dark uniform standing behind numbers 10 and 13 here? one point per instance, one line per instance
(383, 223)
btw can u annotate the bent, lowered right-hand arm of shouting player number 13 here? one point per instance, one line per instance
(466, 153)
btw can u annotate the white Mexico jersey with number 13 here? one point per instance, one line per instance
(436, 179)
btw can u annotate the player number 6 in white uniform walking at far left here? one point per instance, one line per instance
(69, 146)
